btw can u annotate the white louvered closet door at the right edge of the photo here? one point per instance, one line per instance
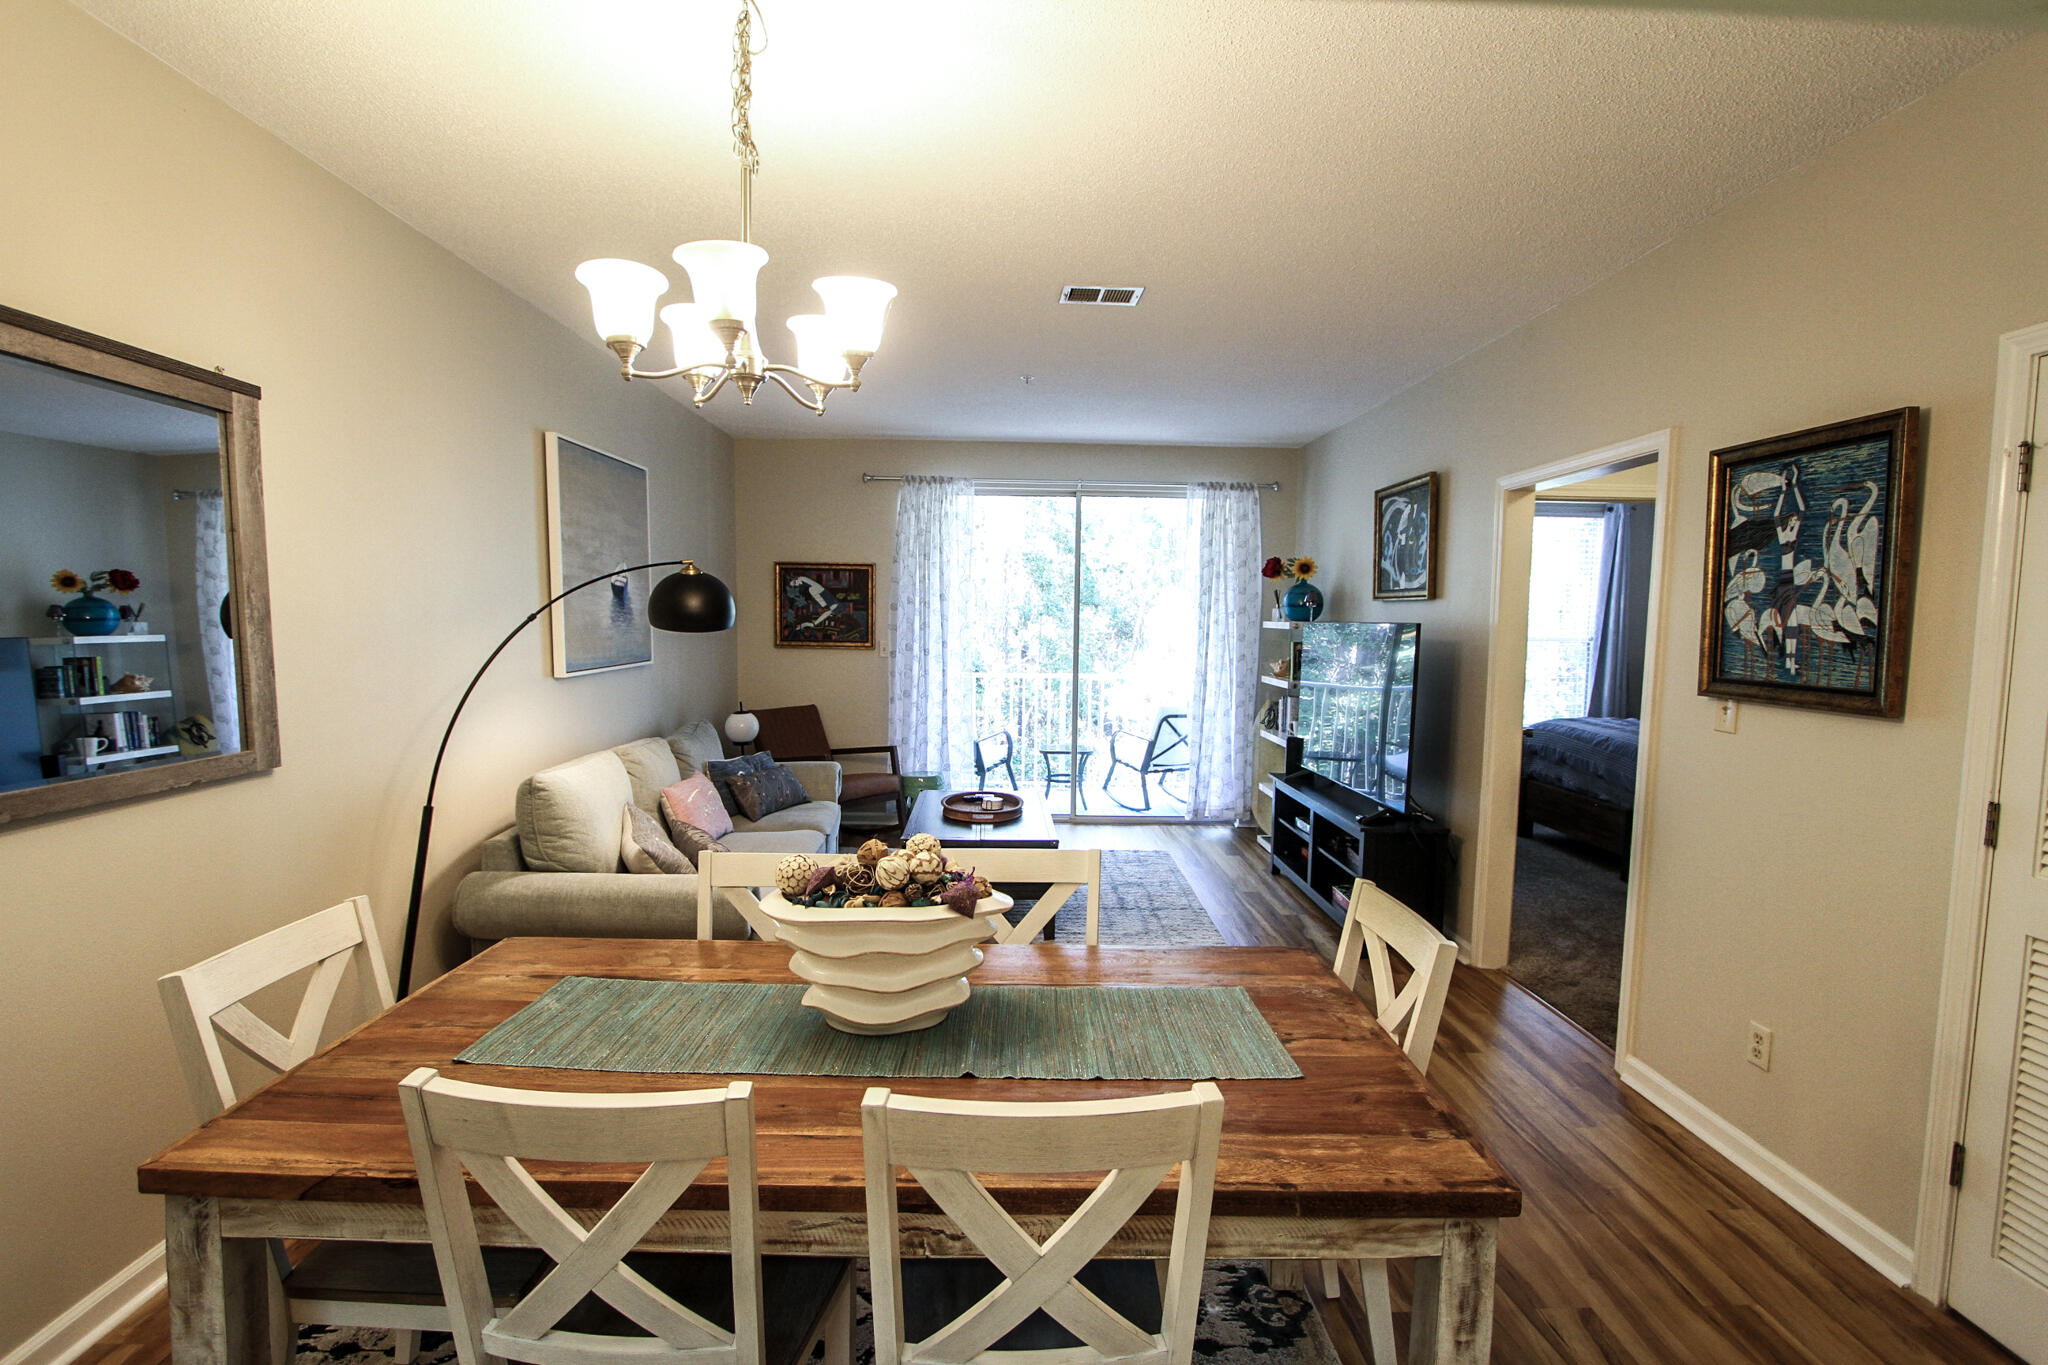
(2000, 1272)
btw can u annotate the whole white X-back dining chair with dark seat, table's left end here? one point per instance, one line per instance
(337, 1284)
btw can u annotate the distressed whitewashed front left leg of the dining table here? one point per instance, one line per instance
(220, 1288)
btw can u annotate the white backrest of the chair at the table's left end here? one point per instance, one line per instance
(206, 1002)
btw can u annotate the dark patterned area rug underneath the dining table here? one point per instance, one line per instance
(1244, 1321)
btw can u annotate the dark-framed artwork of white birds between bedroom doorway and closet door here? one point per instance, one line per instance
(1809, 568)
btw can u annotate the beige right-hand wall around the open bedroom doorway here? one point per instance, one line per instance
(1799, 869)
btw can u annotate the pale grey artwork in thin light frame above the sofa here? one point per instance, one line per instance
(597, 523)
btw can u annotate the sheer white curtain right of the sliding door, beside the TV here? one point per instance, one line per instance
(1226, 572)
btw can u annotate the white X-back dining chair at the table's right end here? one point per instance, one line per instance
(1379, 928)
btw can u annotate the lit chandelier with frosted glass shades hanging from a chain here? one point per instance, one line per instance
(716, 335)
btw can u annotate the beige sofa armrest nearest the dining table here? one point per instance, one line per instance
(601, 906)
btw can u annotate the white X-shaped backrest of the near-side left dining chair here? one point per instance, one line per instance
(493, 1133)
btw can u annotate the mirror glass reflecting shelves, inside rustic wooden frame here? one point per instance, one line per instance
(114, 574)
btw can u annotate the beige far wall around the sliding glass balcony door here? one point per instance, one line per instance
(804, 500)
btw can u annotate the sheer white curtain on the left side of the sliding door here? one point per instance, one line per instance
(931, 672)
